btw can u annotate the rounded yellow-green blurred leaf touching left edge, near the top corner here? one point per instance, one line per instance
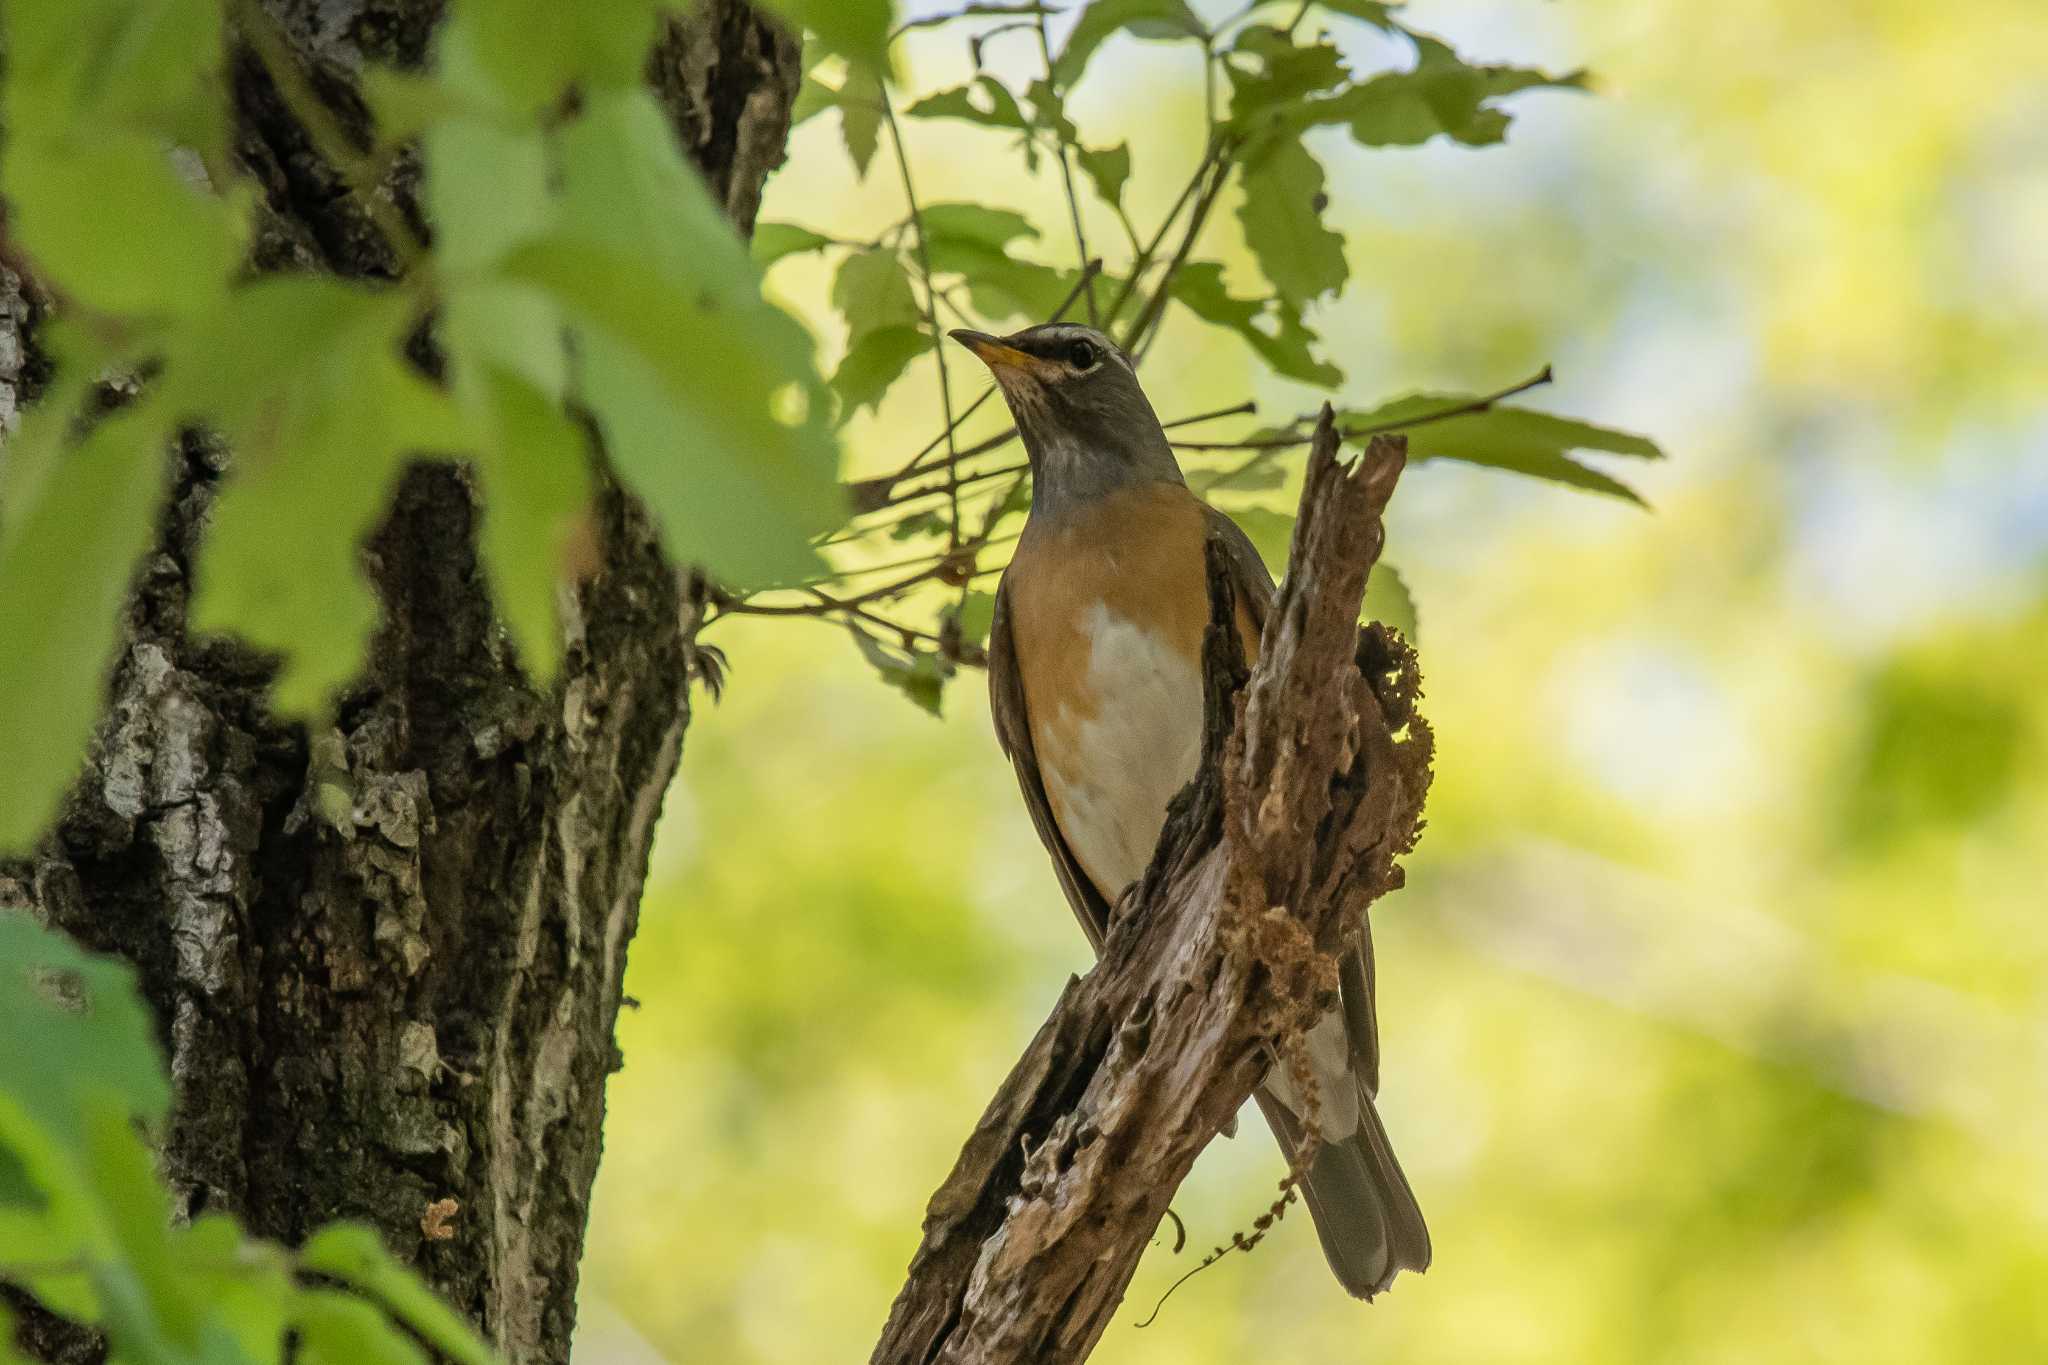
(116, 226)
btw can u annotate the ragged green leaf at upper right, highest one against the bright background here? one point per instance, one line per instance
(1439, 97)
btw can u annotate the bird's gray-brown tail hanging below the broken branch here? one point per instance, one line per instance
(1361, 1202)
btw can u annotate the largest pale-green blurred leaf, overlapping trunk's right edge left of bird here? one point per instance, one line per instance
(708, 396)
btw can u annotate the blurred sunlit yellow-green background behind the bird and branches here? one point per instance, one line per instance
(1715, 1008)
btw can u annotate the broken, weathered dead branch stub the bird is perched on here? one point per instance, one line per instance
(1312, 785)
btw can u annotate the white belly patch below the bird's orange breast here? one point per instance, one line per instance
(1109, 775)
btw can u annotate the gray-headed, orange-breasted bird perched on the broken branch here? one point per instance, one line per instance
(1097, 691)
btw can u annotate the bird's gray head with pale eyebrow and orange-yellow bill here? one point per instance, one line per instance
(1078, 404)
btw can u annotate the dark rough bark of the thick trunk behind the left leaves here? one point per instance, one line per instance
(386, 959)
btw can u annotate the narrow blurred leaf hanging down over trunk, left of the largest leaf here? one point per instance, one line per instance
(536, 492)
